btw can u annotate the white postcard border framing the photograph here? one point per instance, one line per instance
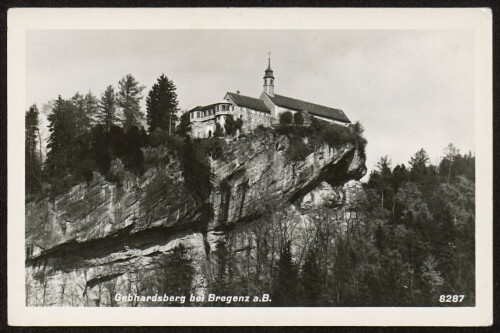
(479, 20)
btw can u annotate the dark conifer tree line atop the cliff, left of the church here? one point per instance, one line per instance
(87, 133)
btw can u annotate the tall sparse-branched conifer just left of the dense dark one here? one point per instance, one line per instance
(129, 97)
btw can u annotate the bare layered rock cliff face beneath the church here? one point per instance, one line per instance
(101, 233)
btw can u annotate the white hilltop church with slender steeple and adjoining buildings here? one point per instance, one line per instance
(253, 112)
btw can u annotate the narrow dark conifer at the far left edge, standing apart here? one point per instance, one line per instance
(32, 156)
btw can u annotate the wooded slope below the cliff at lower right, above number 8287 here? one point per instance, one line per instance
(407, 242)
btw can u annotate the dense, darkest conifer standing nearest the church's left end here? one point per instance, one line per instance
(162, 105)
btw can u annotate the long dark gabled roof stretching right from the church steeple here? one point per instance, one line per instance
(314, 109)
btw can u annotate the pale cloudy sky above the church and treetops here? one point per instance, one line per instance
(410, 89)
